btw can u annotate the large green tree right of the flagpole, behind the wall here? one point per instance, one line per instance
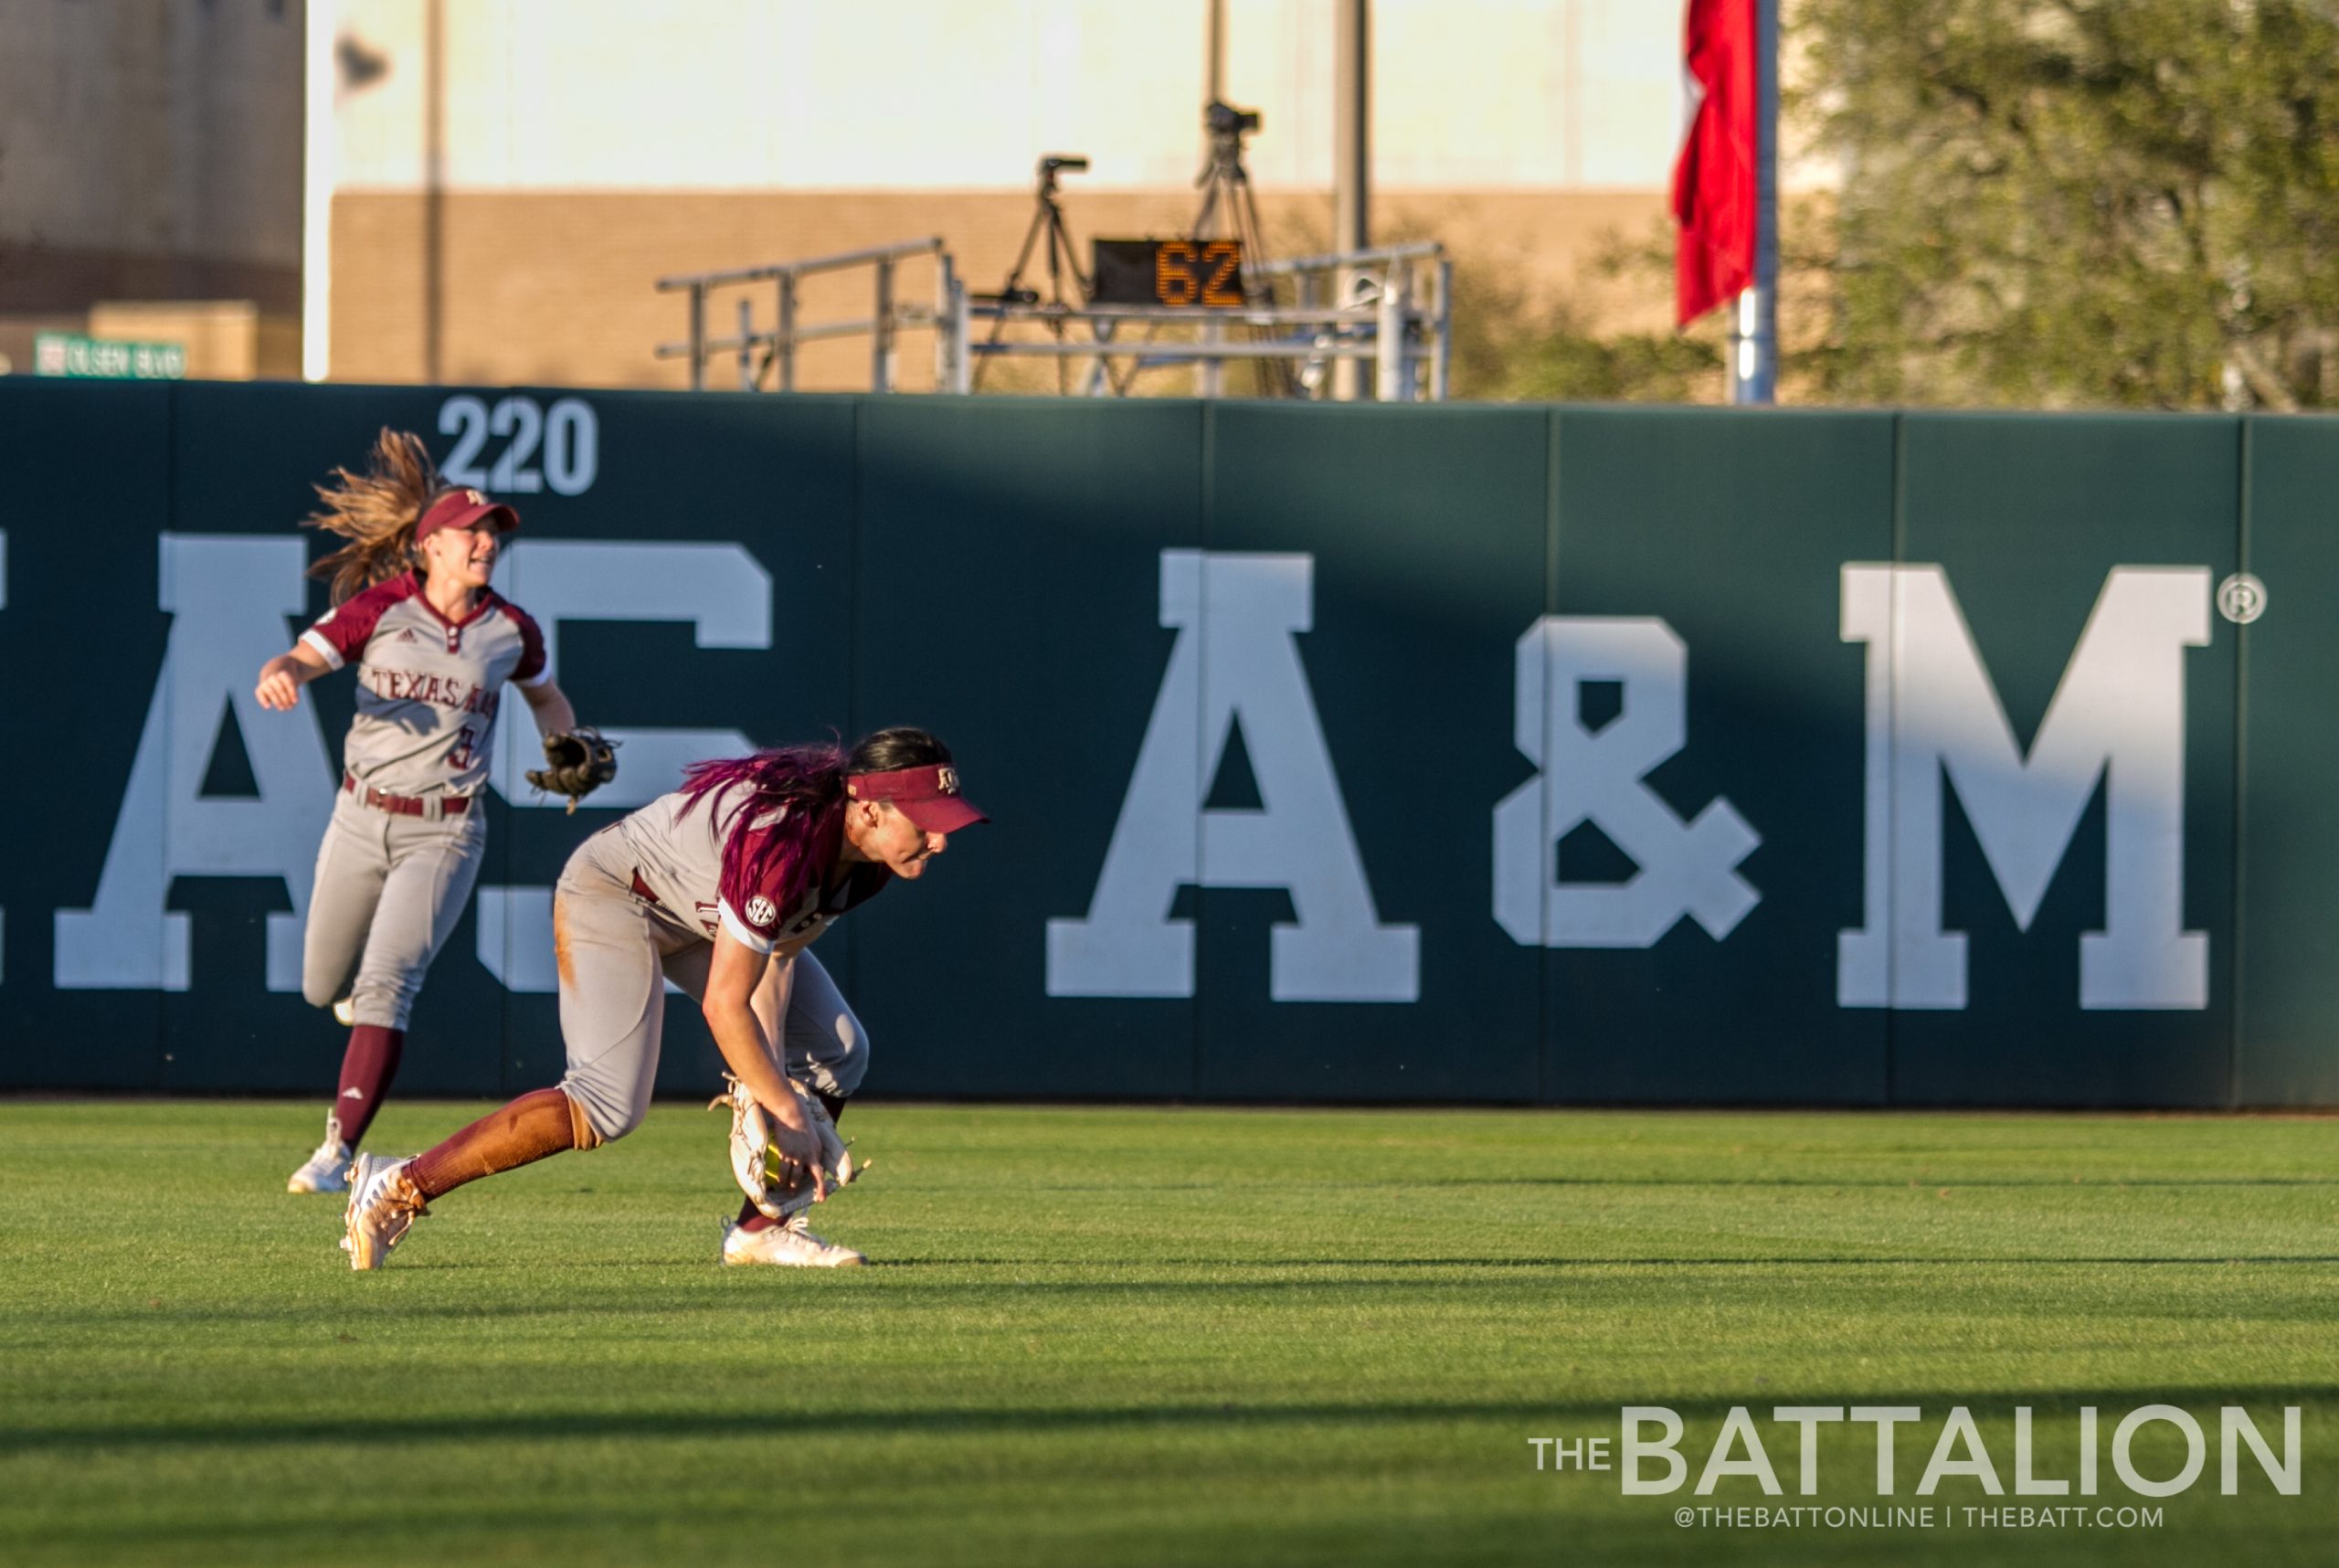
(2078, 202)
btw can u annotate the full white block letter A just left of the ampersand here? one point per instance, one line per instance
(1236, 659)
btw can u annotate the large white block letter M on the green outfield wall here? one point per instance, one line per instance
(2118, 720)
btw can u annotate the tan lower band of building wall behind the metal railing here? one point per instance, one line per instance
(560, 287)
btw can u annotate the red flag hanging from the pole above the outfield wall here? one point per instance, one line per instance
(1713, 184)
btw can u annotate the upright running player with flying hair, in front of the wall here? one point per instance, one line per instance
(434, 647)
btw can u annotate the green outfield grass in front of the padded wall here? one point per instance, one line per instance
(1150, 1337)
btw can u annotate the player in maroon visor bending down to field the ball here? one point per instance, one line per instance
(717, 888)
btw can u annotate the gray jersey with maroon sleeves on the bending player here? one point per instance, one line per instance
(696, 865)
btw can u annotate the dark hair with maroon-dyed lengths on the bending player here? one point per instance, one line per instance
(808, 783)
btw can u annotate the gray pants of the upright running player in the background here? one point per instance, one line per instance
(385, 902)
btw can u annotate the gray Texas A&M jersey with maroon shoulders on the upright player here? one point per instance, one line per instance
(427, 687)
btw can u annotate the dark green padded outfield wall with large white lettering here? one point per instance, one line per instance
(1334, 755)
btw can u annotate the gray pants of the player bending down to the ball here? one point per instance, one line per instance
(614, 956)
